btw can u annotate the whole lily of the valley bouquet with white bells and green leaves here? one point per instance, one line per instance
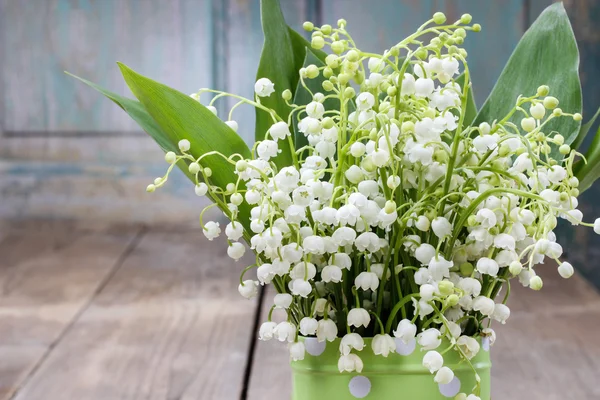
(378, 201)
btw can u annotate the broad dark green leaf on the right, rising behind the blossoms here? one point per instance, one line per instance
(546, 55)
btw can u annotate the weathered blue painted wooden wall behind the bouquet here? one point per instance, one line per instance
(66, 152)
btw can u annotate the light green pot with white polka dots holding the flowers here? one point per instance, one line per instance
(399, 376)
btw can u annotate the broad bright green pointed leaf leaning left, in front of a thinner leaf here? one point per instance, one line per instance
(181, 117)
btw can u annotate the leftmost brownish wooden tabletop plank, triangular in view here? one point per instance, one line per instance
(46, 278)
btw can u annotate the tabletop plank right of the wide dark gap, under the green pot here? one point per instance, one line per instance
(548, 349)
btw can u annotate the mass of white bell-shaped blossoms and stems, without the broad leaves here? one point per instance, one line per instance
(397, 220)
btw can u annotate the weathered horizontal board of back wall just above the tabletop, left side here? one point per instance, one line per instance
(92, 178)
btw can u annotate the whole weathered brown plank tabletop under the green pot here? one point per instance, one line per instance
(128, 313)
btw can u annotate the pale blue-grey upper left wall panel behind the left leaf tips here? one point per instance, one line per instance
(166, 40)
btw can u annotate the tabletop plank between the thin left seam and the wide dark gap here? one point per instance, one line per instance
(169, 325)
